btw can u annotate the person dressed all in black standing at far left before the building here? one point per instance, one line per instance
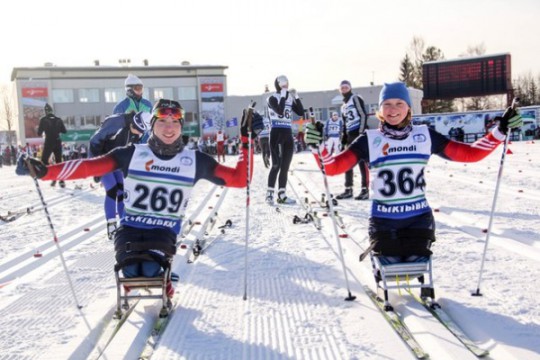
(52, 126)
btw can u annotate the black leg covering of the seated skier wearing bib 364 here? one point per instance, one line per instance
(404, 242)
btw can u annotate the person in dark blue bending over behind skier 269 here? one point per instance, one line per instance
(116, 131)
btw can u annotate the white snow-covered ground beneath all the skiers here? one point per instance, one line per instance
(295, 307)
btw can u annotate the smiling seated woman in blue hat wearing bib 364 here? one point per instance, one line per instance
(401, 222)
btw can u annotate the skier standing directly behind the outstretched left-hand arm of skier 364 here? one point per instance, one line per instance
(354, 116)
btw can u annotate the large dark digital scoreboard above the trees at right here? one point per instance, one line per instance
(473, 76)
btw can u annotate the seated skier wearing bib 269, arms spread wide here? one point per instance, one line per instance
(159, 178)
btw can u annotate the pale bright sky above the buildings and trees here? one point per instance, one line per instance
(316, 43)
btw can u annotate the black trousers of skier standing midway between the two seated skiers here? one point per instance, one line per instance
(282, 150)
